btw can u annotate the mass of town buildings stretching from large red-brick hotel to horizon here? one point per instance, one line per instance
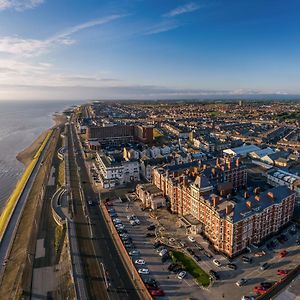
(193, 159)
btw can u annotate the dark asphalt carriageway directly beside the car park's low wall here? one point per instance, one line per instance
(121, 285)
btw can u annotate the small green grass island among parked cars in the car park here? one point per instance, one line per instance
(191, 267)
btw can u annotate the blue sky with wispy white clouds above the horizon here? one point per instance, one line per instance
(148, 49)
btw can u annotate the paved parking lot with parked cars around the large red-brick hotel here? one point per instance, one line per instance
(166, 229)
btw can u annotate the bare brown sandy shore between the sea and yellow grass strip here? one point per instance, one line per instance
(26, 155)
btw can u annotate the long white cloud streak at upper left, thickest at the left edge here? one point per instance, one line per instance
(34, 47)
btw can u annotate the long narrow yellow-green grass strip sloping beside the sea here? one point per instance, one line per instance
(5, 216)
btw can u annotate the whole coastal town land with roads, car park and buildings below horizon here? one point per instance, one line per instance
(166, 200)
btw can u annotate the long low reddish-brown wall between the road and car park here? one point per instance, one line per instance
(143, 291)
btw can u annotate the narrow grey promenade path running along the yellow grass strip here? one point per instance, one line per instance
(8, 236)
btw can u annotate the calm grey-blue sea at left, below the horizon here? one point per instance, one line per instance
(21, 122)
